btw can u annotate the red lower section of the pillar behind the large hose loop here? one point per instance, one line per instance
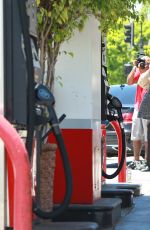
(84, 157)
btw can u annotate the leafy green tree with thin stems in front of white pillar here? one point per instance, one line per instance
(58, 19)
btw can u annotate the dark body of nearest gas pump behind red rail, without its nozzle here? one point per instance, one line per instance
(18, 78)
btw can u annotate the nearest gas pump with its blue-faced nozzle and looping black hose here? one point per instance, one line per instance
(26, 100)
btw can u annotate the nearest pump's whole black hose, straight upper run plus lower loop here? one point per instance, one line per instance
(31, 120)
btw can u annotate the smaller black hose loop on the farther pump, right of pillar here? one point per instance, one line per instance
(116, 173)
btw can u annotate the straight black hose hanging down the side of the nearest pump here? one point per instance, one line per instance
(30, 71)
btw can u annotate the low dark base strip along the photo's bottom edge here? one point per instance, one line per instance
(67, 226)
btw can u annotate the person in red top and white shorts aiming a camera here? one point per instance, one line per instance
(139, 125)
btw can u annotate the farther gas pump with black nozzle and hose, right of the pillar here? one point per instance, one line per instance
(110, 107)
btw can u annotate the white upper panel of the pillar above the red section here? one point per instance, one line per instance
(80, 96)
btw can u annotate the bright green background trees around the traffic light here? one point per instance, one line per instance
(119, 52)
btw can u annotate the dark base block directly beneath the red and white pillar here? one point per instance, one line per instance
(105, 211)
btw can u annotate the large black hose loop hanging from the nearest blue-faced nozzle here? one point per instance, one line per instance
(67, 170)
